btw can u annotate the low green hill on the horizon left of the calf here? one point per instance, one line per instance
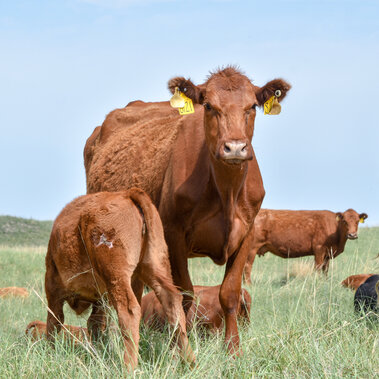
(17, 231)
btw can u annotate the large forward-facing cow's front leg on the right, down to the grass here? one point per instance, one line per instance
(230, 293)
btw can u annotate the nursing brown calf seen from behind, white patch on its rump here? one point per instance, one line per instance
(100, 243)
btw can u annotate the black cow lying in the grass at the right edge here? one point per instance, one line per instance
(366, 297)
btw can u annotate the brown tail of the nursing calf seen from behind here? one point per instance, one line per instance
(152, 228)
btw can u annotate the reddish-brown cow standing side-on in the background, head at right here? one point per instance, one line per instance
(293, 234)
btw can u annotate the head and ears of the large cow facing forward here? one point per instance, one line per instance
(230, 101)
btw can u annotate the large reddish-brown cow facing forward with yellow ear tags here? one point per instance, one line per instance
(199, 169)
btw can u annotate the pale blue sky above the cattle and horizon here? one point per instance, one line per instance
(65, 64)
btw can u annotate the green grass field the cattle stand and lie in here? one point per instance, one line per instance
(303, 325)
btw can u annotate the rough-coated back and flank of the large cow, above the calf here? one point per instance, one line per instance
(132, 148)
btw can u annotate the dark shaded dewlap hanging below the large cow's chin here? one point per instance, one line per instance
(228, 180)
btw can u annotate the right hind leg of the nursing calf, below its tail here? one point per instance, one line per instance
(155, 272)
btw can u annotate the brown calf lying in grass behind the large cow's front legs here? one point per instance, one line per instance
(205, 310)
